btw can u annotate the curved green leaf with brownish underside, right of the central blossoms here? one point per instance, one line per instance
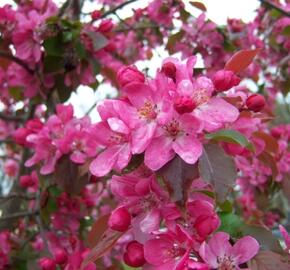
(232, 136)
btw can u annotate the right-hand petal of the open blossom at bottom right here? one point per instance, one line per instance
(245, 249)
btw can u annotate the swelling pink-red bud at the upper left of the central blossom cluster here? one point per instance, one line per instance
(130, 74)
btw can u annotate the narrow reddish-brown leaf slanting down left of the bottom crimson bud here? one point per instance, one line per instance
(106, 243)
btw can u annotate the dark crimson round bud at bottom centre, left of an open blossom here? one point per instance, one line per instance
(134, 255)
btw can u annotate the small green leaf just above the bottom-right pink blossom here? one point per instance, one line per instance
(230, 223)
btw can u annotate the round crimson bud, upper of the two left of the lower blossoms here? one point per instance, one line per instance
(120, 219)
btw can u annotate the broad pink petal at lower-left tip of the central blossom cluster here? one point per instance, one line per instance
(105, 161)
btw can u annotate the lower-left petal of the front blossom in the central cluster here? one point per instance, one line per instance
(158, 153)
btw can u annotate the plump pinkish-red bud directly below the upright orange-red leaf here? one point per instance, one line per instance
(224, 80)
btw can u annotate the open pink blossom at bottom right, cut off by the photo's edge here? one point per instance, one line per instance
(219, 253)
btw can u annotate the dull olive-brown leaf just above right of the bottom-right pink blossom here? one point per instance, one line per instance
(265, 238)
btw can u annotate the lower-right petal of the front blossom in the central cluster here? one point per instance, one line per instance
(188, 148)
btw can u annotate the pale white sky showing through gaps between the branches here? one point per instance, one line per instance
(217, 10)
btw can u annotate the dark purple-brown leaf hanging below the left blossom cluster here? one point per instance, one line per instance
(69, 176)
